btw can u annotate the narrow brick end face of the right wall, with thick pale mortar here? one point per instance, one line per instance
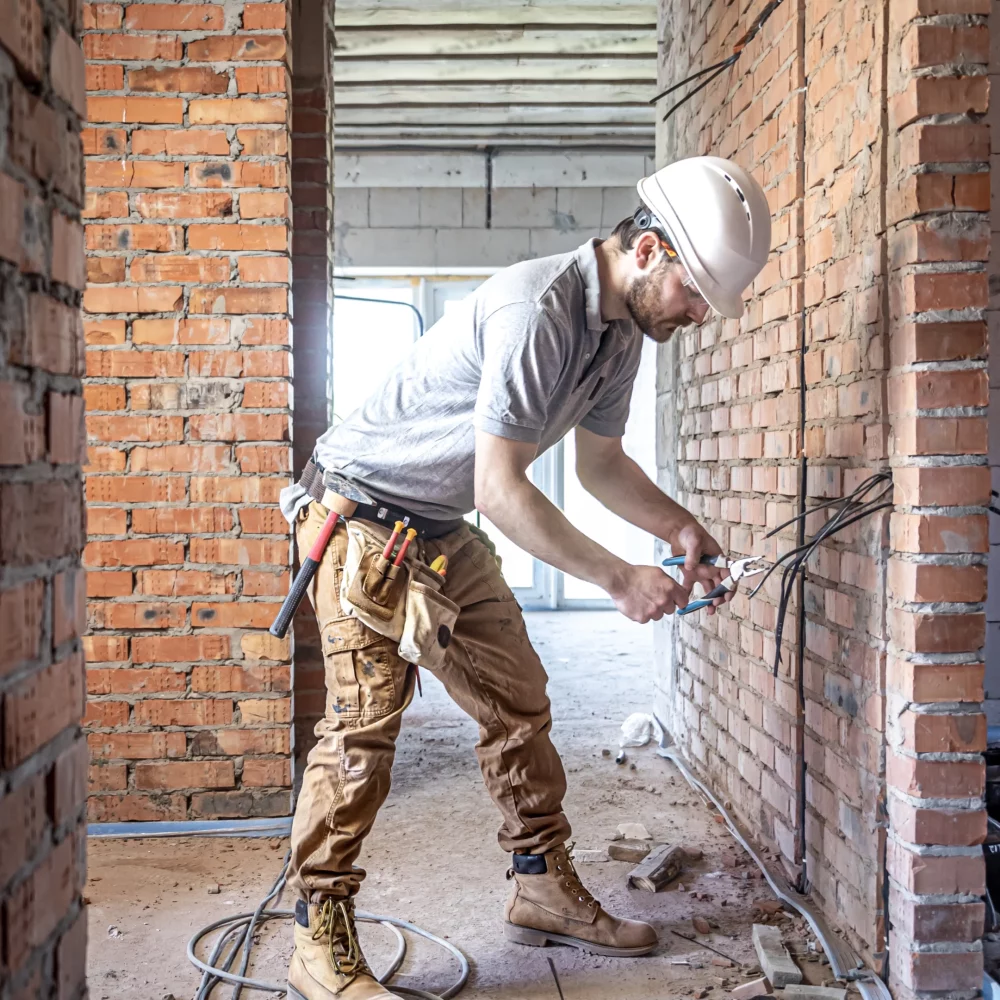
(939, 186)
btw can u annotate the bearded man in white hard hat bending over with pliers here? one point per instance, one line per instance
(539, 349)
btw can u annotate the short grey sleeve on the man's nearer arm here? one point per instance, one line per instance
(523, 353)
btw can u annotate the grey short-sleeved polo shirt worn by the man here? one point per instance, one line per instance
(525, 357)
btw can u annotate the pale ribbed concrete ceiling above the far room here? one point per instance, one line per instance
(478, 73)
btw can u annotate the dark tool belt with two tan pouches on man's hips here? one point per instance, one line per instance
(404, 603)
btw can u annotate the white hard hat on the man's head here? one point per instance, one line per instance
(716, 217)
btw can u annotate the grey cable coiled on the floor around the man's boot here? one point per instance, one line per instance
(238, 930)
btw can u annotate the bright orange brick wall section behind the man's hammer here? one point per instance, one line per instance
(188, 408)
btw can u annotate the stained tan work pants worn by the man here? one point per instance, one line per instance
(491, 671)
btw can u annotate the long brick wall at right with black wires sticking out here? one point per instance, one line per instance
(877, 203)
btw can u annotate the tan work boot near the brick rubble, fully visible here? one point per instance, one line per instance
(549, 905)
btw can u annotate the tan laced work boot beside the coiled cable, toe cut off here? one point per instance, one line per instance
(328, 963)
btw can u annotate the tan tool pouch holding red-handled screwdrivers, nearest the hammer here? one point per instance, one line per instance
(371, 589)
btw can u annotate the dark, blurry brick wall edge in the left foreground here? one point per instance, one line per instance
(42, 754)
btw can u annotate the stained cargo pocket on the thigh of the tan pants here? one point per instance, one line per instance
(359, 670)
